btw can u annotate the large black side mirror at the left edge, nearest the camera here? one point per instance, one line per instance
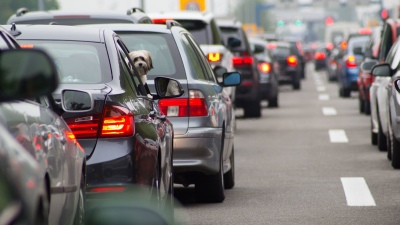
(26, 73)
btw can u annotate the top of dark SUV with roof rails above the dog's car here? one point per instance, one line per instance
(61, 17)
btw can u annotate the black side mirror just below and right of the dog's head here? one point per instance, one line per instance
(167, 88)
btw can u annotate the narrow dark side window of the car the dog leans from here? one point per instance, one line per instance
(128, 72)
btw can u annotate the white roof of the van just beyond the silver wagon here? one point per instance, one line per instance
(184, 15)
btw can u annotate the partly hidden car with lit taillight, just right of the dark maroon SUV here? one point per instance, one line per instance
(269, 85)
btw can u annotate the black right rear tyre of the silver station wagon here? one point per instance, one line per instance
(210, 188)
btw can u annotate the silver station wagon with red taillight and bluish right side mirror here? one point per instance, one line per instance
(203, 116)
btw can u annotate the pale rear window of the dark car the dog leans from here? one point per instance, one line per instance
(76, 62)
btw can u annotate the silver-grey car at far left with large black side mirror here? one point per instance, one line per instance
(33, 119)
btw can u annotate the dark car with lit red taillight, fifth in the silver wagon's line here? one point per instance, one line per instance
(287, 67)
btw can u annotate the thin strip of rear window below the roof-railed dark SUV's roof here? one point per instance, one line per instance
(74, 21)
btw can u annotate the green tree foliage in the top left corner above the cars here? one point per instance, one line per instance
(9, 7)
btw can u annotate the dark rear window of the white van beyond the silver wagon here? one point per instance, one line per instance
(198, 29)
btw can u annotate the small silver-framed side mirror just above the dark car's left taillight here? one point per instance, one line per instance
(76, 101)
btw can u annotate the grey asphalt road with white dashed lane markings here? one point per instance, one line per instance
(310, 161)
